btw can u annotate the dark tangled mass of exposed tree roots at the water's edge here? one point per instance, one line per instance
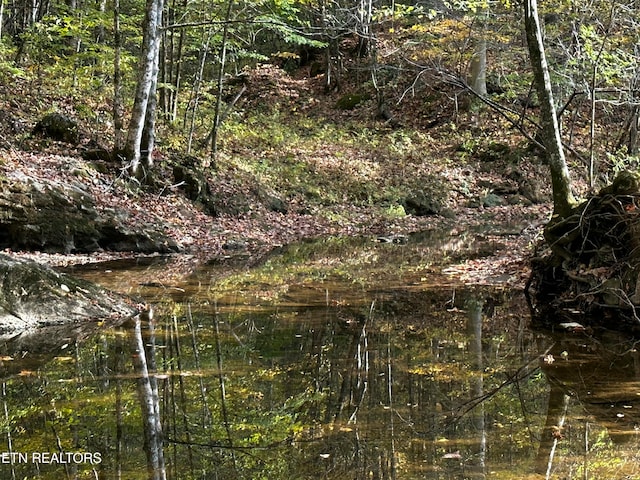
(590, 270)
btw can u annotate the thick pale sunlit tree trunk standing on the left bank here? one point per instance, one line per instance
(147, 79)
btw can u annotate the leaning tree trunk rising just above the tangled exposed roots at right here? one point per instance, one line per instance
(563, 200)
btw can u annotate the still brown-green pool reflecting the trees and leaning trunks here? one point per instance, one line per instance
(334, 359)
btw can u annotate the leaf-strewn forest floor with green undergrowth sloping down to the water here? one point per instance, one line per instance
(340, 172)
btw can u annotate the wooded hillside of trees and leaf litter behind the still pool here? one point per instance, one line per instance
(283, 120)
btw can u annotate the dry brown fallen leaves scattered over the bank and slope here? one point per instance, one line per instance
(258, 230)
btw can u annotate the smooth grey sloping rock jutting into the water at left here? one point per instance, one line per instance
(32, 295)
